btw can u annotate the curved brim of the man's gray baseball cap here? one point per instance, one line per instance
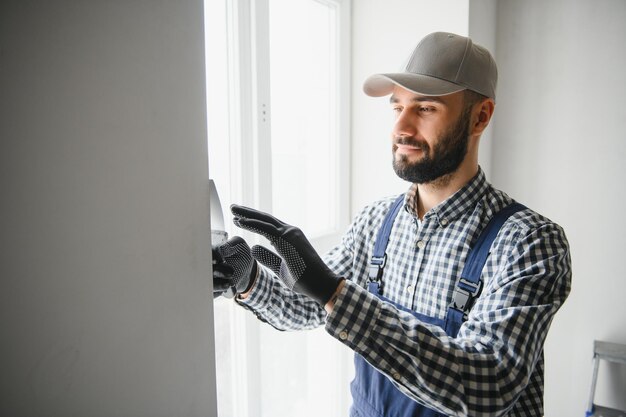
(382, 84)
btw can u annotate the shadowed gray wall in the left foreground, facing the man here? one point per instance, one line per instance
(105, 304)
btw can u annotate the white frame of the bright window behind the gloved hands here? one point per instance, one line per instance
(250, 161)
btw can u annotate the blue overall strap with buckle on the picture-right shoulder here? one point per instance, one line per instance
(469, 285)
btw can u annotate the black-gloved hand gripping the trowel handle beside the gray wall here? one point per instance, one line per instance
(234, 268)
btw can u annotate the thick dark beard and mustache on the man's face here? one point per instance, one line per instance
(443, 159)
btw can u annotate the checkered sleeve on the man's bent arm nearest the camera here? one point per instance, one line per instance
(489, 364)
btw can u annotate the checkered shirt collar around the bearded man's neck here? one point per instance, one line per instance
(462, 201)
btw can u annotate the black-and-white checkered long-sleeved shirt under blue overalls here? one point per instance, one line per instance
(495, 364)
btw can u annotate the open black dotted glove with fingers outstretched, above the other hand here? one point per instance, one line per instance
(308, 274)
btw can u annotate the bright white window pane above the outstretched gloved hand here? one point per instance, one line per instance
(303, 68)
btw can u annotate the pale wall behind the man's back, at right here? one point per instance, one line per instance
(560, 148)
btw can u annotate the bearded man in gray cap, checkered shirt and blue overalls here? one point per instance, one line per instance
(429, 339)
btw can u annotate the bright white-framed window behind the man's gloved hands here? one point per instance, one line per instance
(277, 97)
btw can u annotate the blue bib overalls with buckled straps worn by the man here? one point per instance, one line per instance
(373, 393)
